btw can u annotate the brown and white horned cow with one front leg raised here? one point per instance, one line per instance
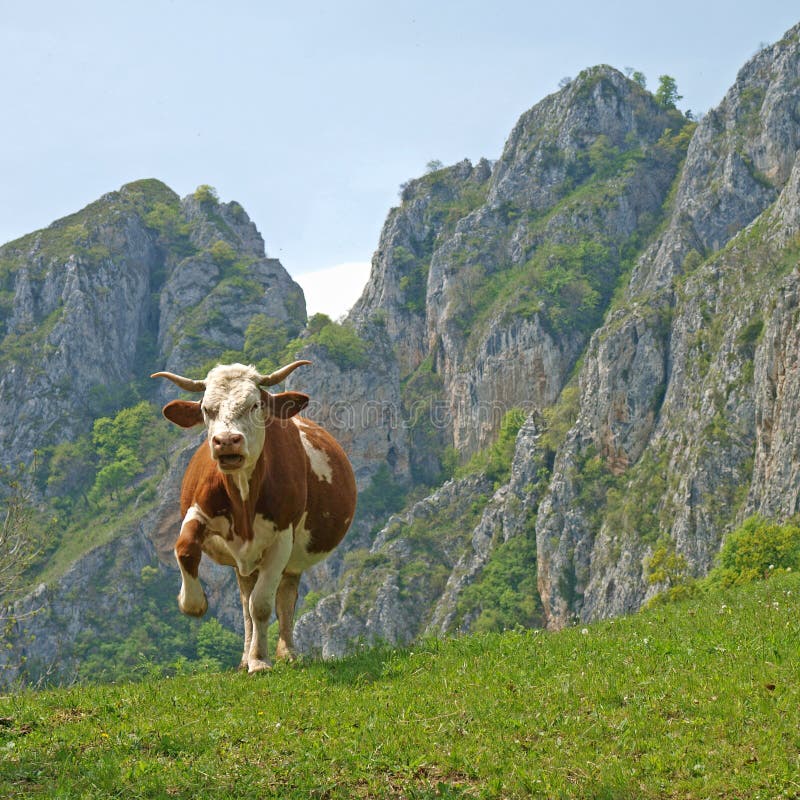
(269, 494)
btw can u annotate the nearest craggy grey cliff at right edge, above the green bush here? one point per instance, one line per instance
(671, 382)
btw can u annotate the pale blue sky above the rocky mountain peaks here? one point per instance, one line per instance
(312, 114)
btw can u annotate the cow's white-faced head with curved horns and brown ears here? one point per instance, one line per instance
(235, 409)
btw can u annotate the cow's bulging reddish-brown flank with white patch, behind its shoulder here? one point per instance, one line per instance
(331, 487)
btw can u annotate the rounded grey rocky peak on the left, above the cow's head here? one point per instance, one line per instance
(131, 282)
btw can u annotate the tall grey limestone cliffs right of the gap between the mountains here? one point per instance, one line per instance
(630, 278)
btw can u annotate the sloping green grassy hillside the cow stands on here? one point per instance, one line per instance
(689, 700)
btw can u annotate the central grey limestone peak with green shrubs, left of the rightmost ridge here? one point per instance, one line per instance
(464, 230)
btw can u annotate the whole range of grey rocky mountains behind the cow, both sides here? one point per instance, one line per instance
(567, 362)
